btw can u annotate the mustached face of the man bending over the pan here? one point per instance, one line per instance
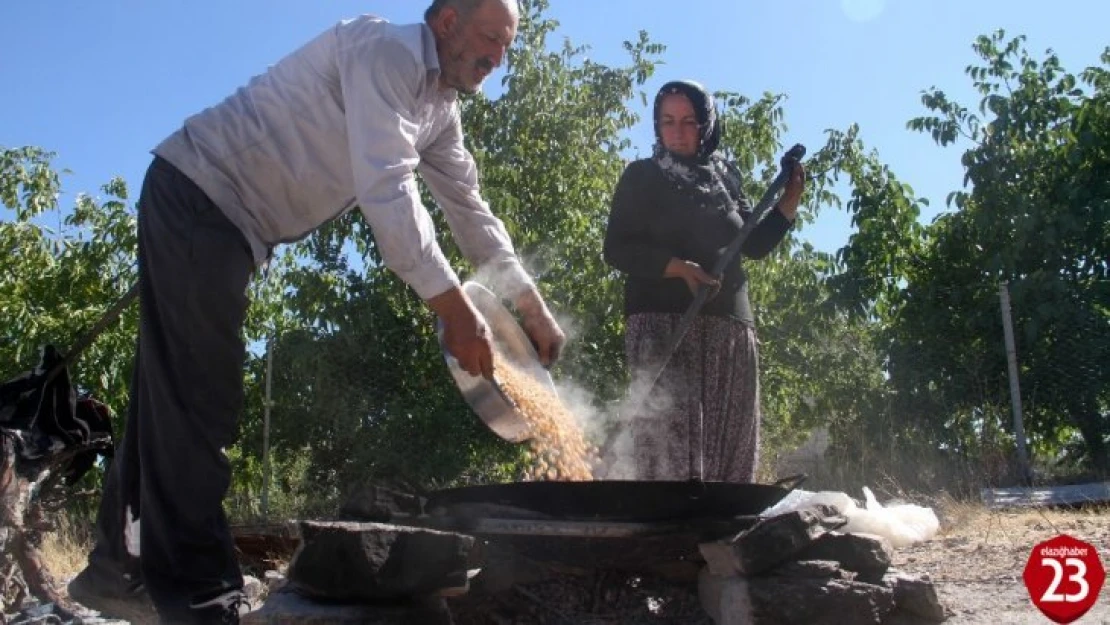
(471, 47)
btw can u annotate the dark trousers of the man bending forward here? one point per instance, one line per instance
(187, 394)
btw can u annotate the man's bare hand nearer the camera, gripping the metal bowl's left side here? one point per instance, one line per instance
(466, 332)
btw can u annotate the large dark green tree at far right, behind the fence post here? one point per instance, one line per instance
(1036, 218)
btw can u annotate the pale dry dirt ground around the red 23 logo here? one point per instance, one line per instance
(978, 558)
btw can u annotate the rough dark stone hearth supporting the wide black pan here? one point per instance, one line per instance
(395, 564)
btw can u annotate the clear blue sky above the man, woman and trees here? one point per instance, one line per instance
(102, 83)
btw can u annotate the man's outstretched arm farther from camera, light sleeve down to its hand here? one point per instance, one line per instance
(451, 174)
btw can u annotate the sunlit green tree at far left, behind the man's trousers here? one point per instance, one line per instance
(65, 268)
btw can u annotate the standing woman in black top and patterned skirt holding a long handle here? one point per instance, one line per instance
(673, 217)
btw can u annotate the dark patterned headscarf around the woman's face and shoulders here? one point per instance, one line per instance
(701, 176)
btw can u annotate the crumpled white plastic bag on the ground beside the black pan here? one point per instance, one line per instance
(902, 525)
